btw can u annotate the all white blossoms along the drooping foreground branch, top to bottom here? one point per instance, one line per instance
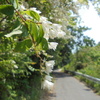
(51, 31)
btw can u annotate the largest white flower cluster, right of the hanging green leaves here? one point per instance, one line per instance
(51, 30)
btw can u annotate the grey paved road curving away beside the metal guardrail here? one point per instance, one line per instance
(69, 88)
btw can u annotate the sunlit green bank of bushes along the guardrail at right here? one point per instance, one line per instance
(88, 62)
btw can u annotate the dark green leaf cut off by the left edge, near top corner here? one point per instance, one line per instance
(7, 9)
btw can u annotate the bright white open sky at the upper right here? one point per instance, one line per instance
(91, 19)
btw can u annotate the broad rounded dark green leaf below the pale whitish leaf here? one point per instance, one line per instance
(23, 45)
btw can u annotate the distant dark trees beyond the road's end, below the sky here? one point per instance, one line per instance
(75, 42)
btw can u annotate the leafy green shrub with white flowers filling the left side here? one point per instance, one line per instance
(24, 39)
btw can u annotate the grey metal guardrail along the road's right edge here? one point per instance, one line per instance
(86, 76)
